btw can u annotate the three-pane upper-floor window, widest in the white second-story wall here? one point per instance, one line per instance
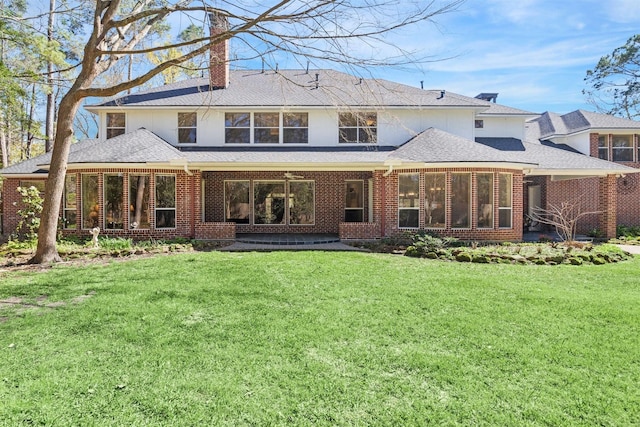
(266, 128)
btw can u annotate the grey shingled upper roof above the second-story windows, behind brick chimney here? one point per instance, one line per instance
(320, 88)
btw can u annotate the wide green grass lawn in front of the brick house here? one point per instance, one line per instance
(311, 338)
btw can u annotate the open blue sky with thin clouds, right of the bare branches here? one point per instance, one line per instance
(534, 53)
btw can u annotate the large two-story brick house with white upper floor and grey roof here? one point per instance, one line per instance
(297, 151)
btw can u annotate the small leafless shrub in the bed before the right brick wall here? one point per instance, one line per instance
(563, 217)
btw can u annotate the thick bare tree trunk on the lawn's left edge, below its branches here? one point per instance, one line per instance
(46, 251)
